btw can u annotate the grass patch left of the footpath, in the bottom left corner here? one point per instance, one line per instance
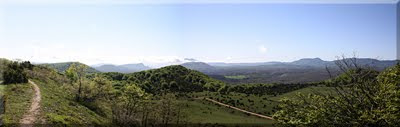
(18, 100)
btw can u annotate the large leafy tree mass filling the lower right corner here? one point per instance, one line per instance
(359, 97)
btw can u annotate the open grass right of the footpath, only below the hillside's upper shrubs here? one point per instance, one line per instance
(58, 107)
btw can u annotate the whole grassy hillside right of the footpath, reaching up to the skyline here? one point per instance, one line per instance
(58, 102)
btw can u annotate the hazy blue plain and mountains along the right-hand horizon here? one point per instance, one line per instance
(303, 70)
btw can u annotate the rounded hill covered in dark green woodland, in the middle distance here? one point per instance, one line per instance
(169, 79)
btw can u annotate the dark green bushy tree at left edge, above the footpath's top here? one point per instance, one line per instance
(14, 73)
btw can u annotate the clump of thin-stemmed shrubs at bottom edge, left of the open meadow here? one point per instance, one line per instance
(133, 107)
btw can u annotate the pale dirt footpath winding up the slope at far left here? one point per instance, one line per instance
(29, 117)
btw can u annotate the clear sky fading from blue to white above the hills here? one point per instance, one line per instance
(162, 33)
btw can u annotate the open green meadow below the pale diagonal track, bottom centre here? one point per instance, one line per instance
(204, 112)
